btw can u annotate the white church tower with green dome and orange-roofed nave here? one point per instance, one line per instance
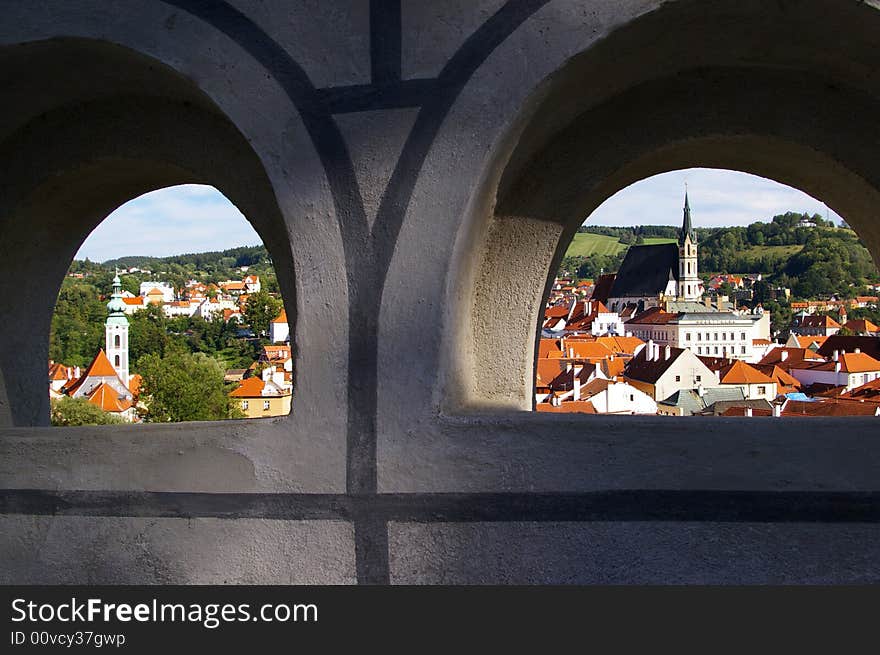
(106, 382)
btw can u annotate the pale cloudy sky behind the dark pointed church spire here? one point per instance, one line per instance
(717, 198)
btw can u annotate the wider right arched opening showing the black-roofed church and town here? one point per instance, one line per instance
(680, 304)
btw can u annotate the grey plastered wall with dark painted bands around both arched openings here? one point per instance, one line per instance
(415, 169)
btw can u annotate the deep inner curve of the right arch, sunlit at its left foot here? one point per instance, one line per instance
(742, 86)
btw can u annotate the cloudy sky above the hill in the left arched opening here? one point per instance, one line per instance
(171, 221)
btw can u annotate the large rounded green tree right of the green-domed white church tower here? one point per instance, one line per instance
(184, 387)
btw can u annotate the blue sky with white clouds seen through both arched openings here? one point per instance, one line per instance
(197, 218)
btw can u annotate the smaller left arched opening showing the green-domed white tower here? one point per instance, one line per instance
(176, 289)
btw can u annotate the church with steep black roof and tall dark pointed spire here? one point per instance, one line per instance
(656, 275)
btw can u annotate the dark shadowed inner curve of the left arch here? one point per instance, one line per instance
(85, 144)
